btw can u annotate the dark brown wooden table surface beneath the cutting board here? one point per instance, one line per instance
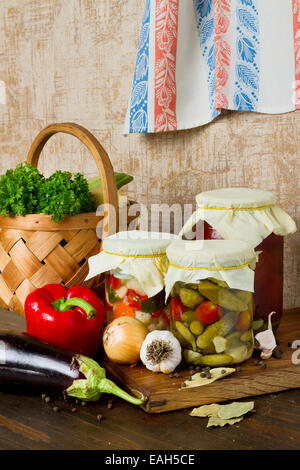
(27, 422)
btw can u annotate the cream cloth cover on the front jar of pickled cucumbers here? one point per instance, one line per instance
(225, 260)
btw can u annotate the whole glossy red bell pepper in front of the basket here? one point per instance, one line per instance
(51, 317)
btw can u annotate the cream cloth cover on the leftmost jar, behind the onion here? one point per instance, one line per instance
(137, 253)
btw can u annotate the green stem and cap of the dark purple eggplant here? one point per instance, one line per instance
(96, 383)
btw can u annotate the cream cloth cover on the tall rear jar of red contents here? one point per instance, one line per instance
(241, 214)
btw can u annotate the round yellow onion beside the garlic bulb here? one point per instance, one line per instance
(123, 339)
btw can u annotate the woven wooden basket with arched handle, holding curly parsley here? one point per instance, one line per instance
(35, 251)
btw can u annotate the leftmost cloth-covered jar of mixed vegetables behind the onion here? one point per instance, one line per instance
(134, 264)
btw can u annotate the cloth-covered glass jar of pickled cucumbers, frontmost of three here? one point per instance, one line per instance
(211, 287)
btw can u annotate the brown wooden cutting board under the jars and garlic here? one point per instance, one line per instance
(165, 394)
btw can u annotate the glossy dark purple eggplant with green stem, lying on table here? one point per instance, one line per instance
(30, 365)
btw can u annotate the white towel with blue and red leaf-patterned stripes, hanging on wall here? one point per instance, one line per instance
(196, 57)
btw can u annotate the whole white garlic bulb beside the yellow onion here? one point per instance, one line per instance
(161, 351)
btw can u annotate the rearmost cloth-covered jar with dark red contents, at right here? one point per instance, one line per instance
(252, 216)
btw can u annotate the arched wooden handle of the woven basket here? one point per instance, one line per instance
(105, 168)
